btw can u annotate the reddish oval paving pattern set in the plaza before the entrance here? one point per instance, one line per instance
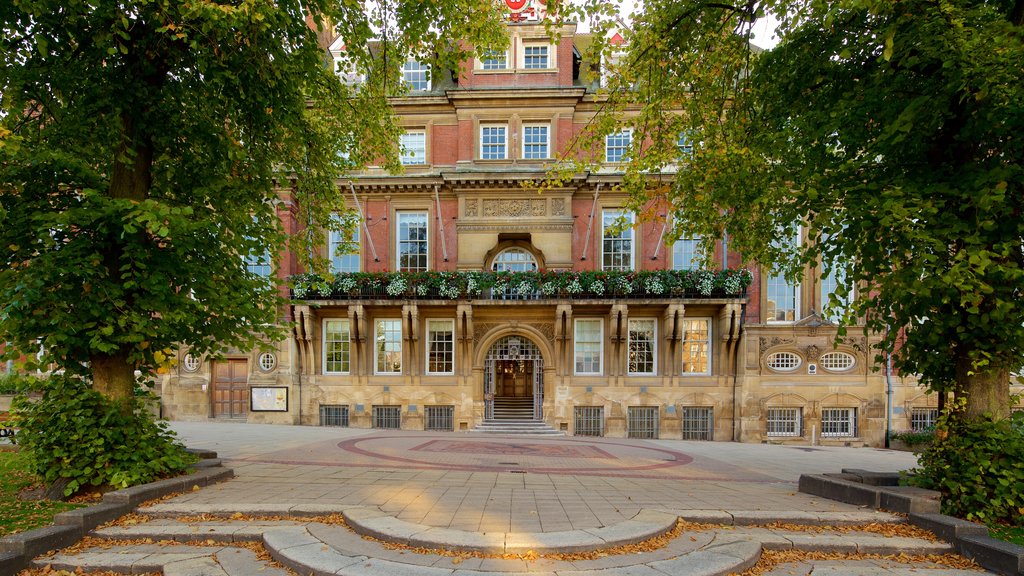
(517, 455)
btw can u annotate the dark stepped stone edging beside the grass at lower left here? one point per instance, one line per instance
(17, 551)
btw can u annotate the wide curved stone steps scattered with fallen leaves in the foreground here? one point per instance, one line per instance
(318, 549)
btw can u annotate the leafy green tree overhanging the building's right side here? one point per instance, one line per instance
(890, 131)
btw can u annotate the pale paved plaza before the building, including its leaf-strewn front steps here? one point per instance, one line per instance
(508, 506)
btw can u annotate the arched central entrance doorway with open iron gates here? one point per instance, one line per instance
(514, 381)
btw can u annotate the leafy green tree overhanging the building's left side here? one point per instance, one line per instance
(147, 149)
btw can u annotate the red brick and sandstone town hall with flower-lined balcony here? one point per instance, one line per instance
(476, 304)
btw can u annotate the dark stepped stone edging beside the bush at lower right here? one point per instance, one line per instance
(881, 491)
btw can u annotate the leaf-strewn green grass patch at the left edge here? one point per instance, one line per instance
(19, 516)
